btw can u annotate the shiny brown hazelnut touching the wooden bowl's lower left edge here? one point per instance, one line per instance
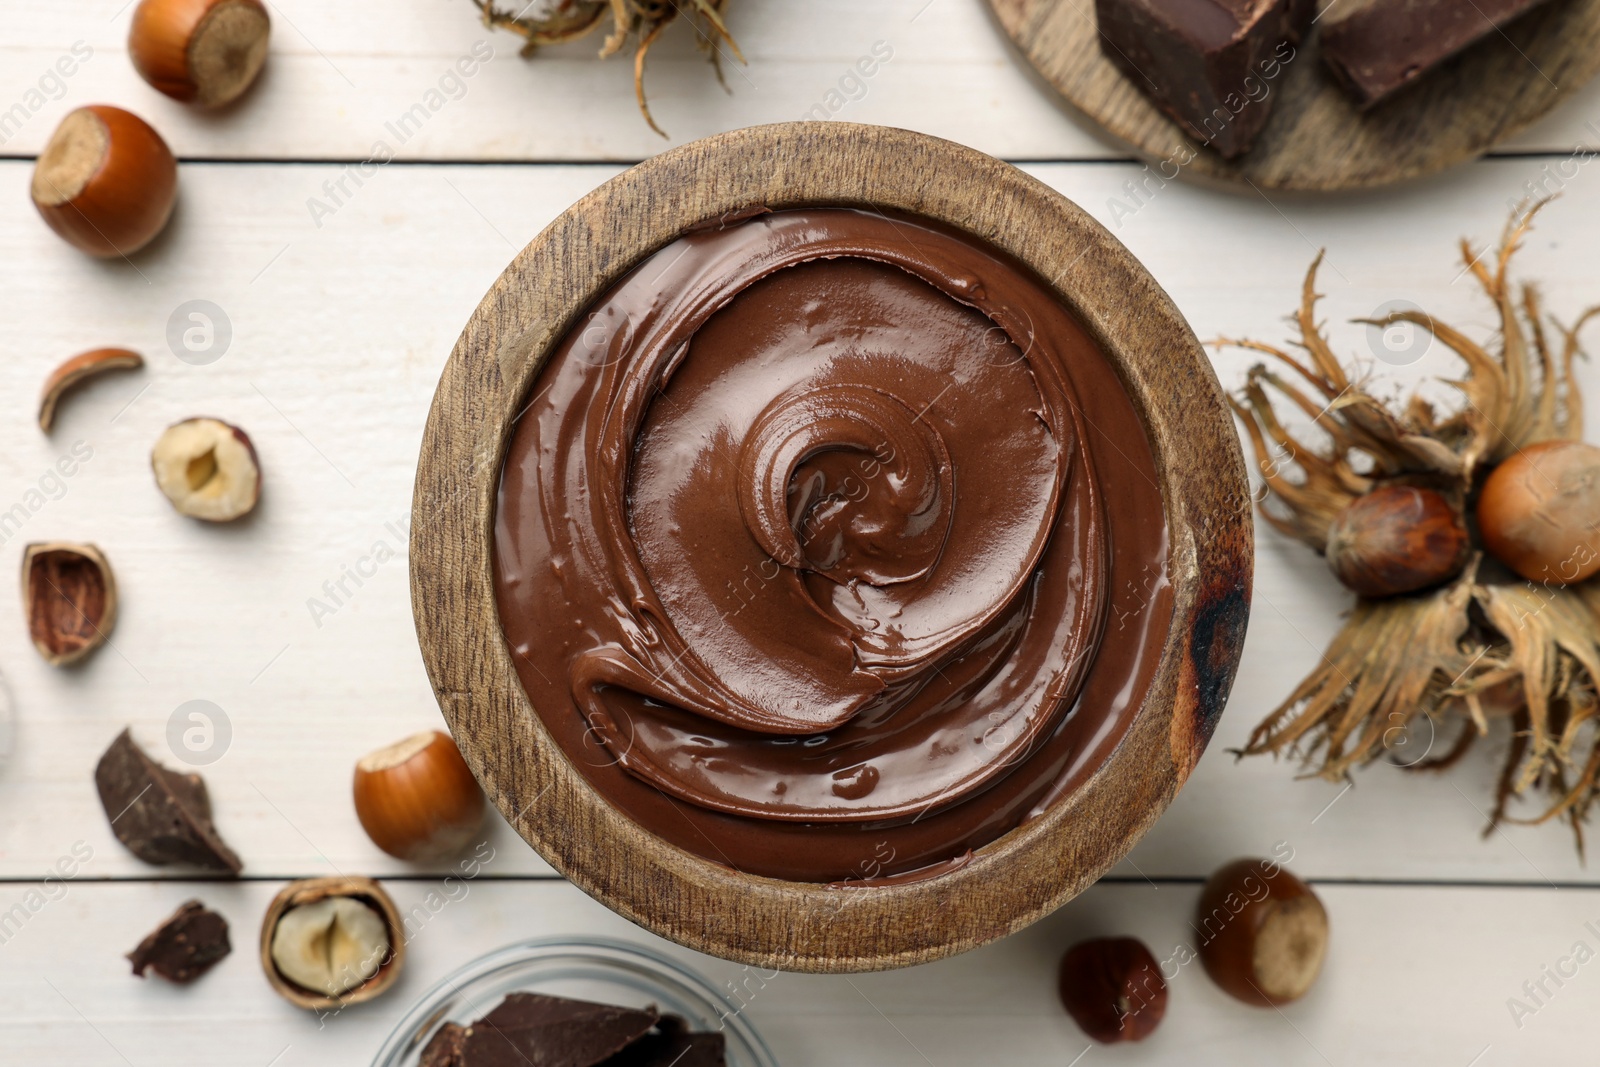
(417, 799)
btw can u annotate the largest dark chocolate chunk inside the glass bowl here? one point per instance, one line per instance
(538, 1031)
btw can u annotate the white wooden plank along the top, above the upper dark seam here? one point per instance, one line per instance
(340, 73)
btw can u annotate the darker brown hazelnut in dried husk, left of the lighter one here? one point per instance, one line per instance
(1398, 540)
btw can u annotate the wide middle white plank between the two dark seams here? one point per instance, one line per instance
(340, 337)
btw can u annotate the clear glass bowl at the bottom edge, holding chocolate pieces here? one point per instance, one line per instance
(586, 969)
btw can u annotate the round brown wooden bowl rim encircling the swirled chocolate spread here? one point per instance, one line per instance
(706, 906)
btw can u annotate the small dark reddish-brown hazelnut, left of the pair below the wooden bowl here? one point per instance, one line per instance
(1113, 988)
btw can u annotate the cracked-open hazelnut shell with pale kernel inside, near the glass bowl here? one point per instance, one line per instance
(329, 943)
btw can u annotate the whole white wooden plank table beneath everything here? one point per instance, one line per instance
(340, 327)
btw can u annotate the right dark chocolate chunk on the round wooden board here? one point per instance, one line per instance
(1380, 47)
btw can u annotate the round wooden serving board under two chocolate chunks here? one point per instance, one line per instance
(1316, 140)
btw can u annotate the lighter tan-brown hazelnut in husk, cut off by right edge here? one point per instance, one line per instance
(1540, 513)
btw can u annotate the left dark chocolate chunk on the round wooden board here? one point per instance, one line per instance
(1207, 63)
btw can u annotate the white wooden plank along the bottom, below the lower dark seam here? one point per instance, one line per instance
(1414, 975)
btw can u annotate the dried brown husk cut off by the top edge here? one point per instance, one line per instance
(559, 22)
